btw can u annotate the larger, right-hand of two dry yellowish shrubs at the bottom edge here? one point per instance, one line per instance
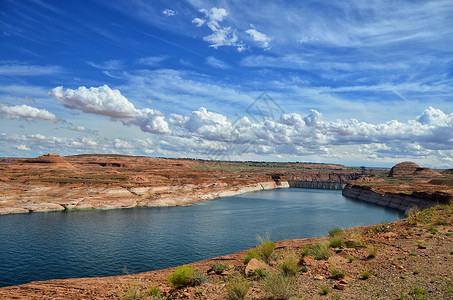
(278, 285)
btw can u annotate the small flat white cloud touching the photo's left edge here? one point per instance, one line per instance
(26, 112)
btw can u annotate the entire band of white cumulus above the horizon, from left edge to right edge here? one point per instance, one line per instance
(208, 134)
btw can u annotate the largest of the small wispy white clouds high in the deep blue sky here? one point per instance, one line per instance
(221, 35)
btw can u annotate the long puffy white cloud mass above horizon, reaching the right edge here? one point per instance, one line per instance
(293, 134)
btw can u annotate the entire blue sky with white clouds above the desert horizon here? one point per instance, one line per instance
(351, 82)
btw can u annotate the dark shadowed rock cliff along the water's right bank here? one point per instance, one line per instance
(398, 201)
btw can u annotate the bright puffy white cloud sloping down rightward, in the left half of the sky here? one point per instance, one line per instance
(110, 103)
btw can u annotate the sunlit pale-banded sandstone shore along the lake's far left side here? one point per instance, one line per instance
(40, 199)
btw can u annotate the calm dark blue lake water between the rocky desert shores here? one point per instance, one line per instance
(42, 246)
